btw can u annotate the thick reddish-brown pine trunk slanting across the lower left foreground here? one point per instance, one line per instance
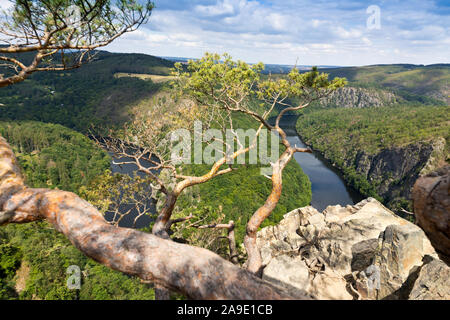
(194, 272)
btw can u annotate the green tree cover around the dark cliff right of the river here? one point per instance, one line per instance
(340, 134)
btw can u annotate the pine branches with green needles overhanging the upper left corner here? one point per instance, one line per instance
(62, 34)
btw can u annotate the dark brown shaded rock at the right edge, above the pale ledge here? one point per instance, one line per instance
(431, 195)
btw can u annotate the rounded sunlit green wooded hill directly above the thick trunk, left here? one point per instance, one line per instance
(53, 156)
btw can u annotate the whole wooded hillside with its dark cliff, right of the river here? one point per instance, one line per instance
(382, 150)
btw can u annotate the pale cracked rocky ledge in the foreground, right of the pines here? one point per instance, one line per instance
(363, 251)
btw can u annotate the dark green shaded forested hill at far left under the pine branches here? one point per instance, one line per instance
(87, 98)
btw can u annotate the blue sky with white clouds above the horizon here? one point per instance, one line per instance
(312, 32)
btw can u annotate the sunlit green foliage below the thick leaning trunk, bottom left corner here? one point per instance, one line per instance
(48, 254)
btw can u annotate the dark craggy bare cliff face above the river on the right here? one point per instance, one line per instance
(394, 171)
